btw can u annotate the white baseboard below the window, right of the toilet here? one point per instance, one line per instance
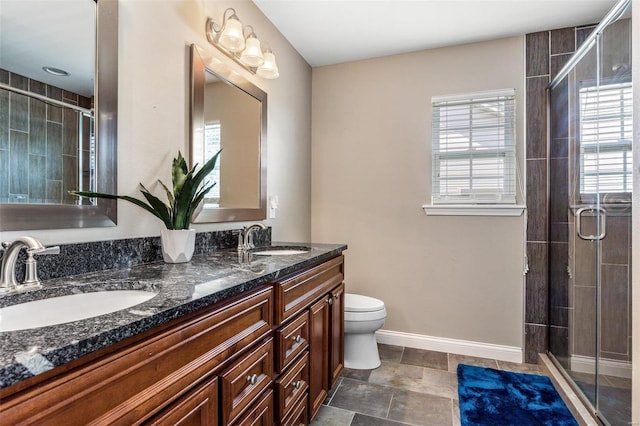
(454, 346)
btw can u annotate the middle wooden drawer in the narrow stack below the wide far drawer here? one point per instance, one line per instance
(292, 386)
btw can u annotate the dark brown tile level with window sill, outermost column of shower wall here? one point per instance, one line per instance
(537, 200)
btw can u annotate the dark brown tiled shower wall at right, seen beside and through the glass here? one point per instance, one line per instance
(555, 315)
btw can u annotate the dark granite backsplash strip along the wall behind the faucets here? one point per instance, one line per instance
(82, 258)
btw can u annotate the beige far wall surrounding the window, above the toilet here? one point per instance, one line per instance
(453, 277)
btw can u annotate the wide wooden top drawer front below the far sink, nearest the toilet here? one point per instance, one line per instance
(295, 293)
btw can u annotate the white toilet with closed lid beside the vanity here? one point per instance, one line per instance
(363, 316)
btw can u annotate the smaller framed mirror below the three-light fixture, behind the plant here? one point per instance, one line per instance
(230, 113)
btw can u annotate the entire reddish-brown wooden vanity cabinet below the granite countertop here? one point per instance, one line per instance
(268, 356)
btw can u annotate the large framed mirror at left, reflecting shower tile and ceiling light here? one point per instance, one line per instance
(58, 113)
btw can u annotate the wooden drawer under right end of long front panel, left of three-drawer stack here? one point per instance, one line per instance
(244, 381)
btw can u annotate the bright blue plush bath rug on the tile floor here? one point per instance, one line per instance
(491, 397)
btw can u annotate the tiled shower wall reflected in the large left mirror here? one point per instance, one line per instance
(39, 143)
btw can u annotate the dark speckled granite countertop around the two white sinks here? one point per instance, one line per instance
(181, 289)
